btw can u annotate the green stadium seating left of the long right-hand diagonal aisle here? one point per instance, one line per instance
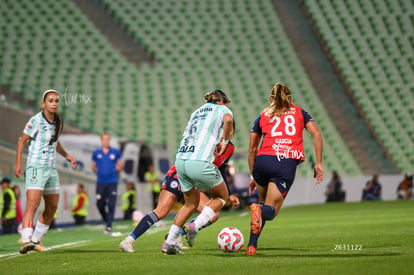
(238, 46)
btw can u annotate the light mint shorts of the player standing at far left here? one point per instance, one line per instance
(42, 178)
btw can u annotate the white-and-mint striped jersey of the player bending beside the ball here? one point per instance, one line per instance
(203, 133)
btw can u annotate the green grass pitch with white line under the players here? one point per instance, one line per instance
(338, 238)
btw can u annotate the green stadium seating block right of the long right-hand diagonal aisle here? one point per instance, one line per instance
(371, 43)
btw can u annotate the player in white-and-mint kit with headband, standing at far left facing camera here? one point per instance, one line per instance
(42, 132)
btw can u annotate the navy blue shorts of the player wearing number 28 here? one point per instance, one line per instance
(272, 169)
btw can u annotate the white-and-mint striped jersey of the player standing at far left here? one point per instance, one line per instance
(40, 131)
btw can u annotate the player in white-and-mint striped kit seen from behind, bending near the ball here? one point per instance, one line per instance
(207, 133)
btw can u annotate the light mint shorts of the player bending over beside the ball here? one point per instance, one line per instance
(195, 173)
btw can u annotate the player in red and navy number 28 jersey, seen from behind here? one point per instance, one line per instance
(273, 165)
